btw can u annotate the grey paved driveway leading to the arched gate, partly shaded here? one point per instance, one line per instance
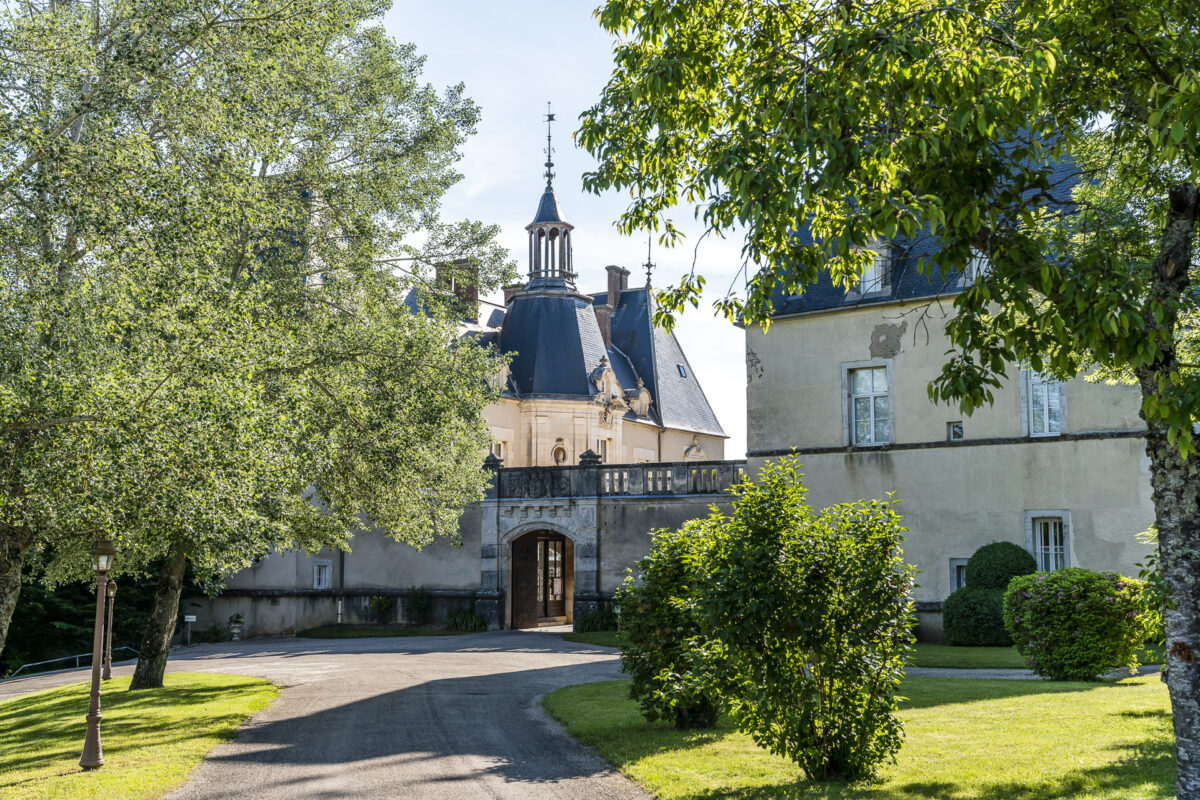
(419, 718)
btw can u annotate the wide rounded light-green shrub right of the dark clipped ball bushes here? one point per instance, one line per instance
(1076, 624)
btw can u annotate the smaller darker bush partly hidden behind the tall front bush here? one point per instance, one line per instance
(658, 627)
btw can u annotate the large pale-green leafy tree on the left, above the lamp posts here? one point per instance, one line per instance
(207, 351)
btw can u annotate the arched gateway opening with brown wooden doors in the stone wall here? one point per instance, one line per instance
(541, 580)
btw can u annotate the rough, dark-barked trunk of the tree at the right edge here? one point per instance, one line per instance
(1177, 489)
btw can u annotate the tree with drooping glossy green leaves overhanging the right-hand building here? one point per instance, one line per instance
(1059, 139)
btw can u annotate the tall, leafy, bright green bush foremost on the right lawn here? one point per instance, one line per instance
(811, 623)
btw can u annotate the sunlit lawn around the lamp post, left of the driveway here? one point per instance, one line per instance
(151, 739)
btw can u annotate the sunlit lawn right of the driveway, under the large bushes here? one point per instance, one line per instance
(967, 739)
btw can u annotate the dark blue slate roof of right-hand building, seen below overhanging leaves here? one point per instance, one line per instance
(907, 281)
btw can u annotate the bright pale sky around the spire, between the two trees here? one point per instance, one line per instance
(514, 57)
